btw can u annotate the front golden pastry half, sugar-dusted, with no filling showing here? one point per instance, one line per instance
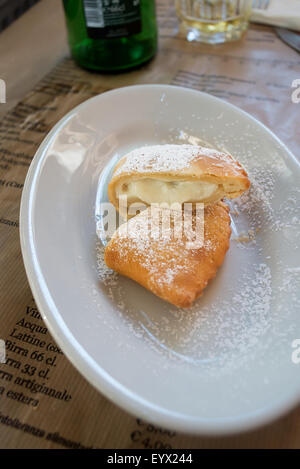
(168, 267)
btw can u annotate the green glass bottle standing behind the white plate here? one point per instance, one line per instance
(111, 35)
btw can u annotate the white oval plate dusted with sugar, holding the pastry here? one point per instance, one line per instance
(224, 365)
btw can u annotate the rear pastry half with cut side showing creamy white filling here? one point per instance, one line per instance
(176, 174)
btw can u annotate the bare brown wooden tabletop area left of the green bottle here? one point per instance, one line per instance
(30, 48)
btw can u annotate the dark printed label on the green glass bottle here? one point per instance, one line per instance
(112, 18)
